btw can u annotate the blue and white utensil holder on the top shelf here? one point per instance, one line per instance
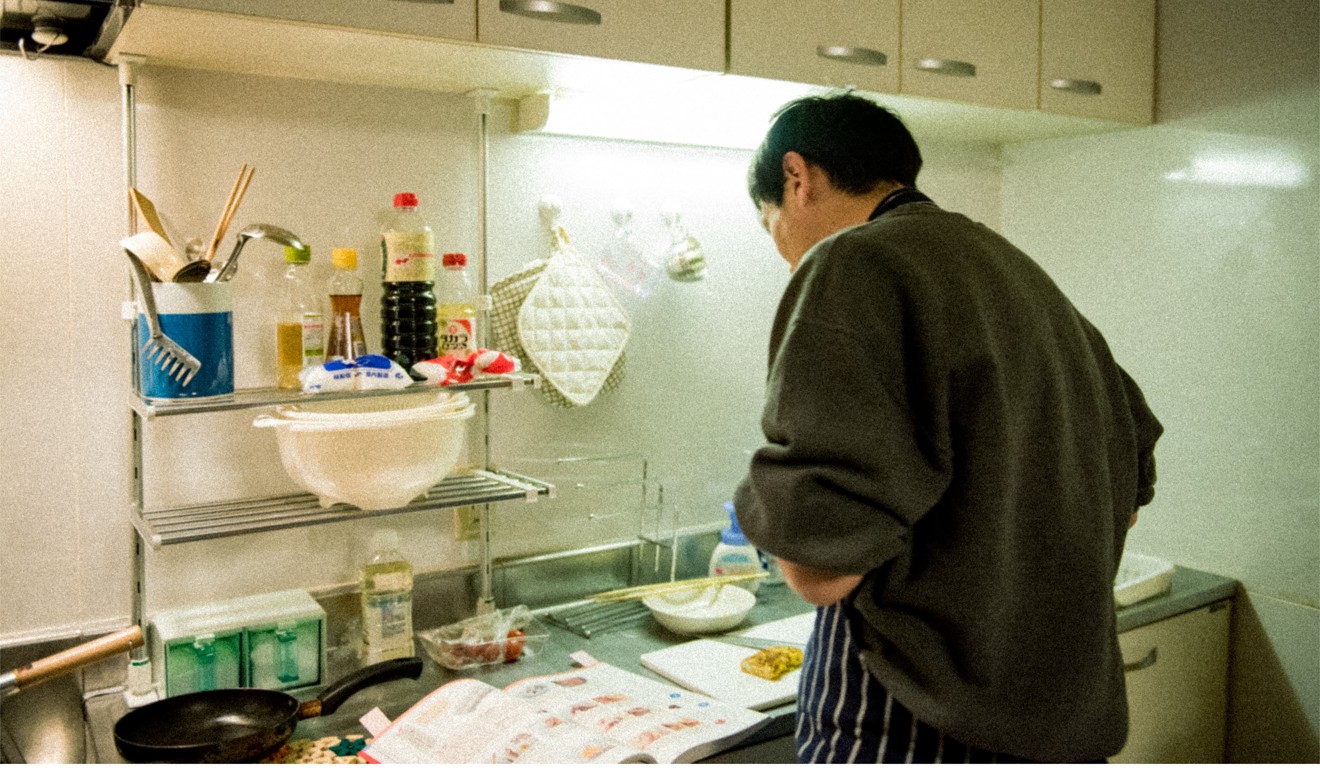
(200, 318)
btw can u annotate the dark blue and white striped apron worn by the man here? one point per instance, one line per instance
(845, 715)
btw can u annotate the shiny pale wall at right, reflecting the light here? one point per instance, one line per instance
(1210, 294)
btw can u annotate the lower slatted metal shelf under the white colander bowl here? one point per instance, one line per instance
(211, 521)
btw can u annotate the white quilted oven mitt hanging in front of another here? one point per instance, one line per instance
(571, 326)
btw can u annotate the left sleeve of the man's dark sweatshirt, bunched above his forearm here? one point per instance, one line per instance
(847, 468)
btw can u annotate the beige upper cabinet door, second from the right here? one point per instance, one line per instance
(979, 52)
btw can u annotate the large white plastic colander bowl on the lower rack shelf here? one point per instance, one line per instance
(373, 459)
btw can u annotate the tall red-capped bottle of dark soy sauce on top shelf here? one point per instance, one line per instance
(409, 270)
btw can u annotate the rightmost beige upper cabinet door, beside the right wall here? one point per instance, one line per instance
(1098, 60)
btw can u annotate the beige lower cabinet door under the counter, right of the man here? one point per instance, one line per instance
(1178, 687)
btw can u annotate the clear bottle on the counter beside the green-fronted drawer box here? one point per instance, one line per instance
(386, 583)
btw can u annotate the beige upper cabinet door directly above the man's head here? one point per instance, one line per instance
(841, 43)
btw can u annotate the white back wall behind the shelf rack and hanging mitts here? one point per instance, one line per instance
(329, 159)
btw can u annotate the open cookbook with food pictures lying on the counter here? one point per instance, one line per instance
(597, 714)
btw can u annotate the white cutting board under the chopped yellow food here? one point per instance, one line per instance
(712, 668)
